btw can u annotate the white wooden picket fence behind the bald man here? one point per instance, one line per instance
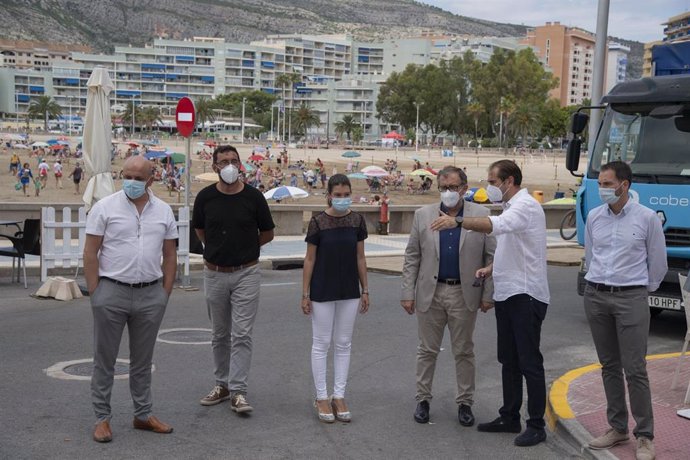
(61, 252)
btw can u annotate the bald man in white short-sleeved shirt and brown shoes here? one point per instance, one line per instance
(126, 235)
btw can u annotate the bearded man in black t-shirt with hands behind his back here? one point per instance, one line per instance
(233, 221)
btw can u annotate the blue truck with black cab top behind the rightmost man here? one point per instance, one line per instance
(645, 123)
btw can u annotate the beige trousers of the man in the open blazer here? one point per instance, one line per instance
(447, 308)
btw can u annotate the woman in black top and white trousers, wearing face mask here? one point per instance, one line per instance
(334, 270)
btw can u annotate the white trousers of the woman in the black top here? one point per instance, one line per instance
(332, 321)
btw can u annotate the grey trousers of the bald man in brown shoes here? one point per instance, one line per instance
(142, 310)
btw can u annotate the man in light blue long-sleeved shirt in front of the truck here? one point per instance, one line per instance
(625, 252)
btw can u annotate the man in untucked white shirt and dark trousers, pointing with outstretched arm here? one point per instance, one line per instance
(521, 295)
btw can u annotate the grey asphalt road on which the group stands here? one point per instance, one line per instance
(43, 417)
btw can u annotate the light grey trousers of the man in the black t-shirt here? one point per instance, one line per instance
(232, 300)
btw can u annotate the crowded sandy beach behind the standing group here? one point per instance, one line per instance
(545, 172)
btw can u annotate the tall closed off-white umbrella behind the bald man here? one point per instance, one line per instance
(97, 142)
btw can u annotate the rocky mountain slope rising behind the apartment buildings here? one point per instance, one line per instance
(105, 23)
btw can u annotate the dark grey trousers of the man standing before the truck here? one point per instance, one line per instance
(620, 326)
